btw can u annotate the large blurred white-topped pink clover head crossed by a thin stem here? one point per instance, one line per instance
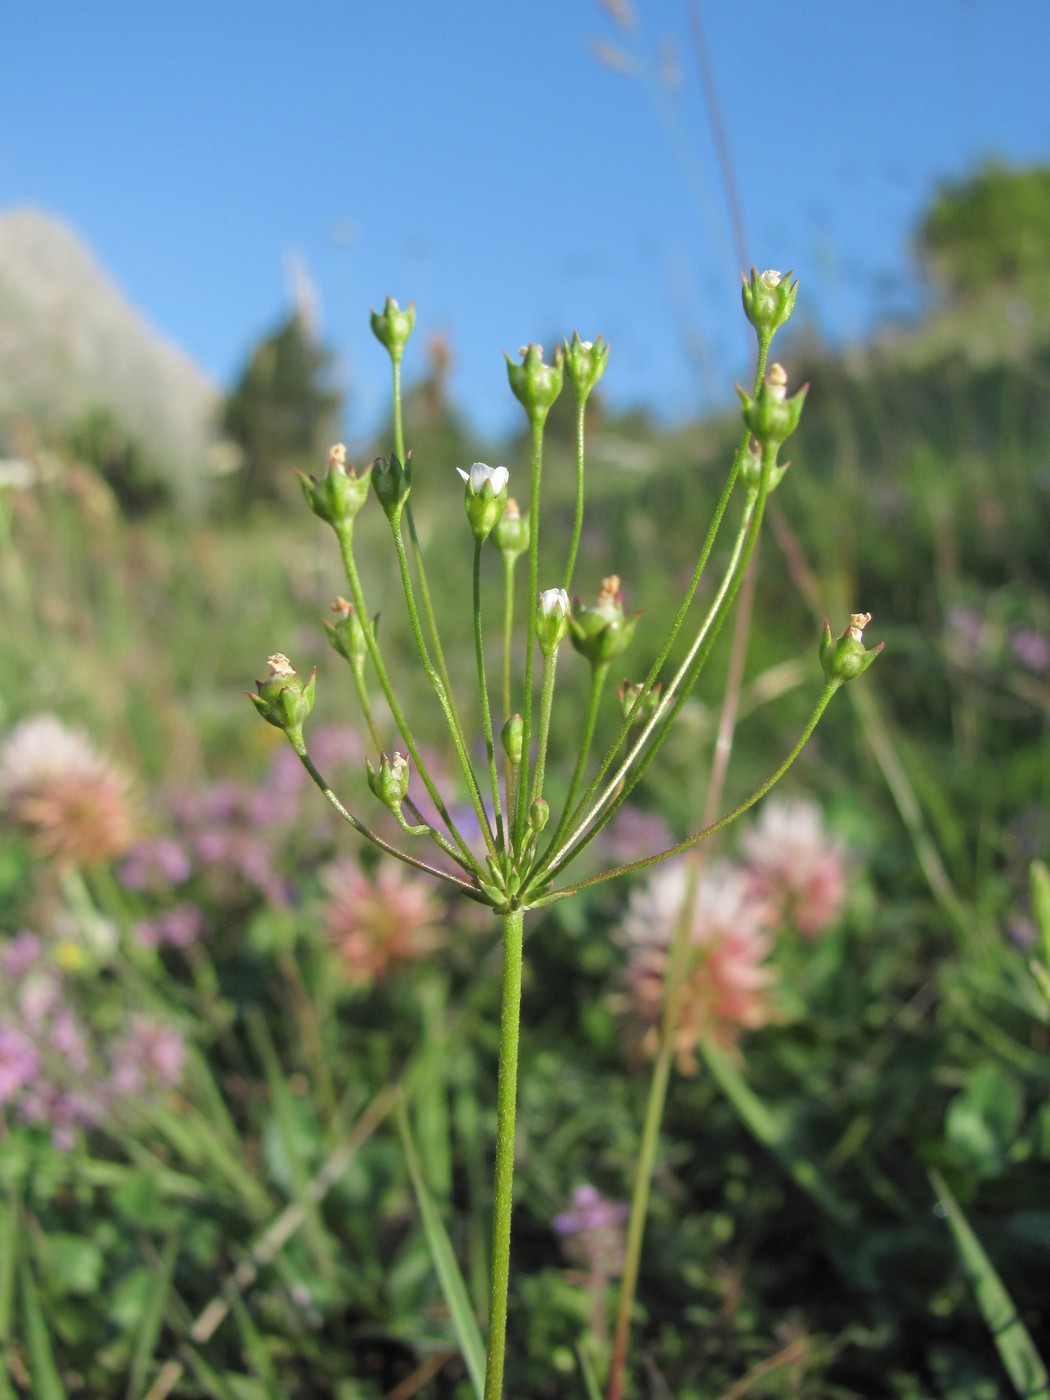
(727, 985)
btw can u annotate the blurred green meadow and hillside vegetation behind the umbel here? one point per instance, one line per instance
(191, 1240)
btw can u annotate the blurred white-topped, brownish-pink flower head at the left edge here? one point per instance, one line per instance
(72, 801)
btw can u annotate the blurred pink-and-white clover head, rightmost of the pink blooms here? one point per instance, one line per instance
(796, 866)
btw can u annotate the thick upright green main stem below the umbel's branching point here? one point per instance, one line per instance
(506, 1105)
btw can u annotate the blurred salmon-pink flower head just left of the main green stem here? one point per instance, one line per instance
(379, 922)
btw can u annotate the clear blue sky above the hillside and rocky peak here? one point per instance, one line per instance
(481, 160)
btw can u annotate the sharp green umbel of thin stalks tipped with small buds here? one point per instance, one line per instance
(526, 850)
